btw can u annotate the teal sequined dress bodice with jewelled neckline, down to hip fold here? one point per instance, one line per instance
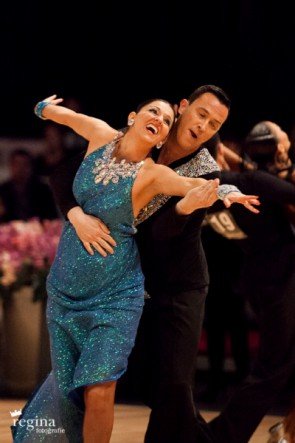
(102, 187)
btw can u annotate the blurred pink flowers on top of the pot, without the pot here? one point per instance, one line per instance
(27, 245)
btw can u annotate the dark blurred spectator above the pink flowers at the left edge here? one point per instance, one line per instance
(24, 196)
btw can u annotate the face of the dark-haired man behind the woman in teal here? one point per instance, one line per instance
(199, 121)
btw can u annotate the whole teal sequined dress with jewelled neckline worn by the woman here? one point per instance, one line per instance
(94, 302)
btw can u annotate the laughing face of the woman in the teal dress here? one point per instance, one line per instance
(154, 121)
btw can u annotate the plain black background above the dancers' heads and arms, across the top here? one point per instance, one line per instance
(113, 55)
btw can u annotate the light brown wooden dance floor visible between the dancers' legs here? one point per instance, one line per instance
(130, 422)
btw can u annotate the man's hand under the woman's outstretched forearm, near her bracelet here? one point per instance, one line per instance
(199, 197)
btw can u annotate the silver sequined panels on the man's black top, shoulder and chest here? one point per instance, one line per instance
(203, 163)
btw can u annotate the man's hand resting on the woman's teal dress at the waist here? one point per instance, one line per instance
(92, 232)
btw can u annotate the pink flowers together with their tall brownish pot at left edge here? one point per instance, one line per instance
(27, 249)
